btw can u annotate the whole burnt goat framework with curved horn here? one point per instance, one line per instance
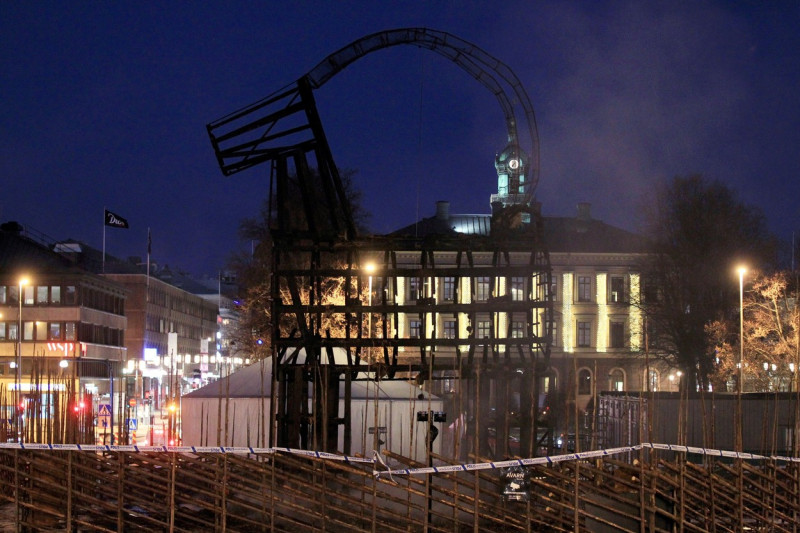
(483, 314)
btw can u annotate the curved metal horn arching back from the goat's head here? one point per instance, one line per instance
(475, 61)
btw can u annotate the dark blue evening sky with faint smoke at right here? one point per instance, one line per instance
(105, 104)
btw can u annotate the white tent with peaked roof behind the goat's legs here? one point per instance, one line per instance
(243, 399)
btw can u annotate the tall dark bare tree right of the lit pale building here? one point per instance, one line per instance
(698, 232)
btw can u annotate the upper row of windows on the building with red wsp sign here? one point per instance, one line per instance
(66, 295)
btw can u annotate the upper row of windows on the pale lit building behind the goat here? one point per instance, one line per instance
(516, 289)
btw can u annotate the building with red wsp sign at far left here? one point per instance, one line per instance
(62, 327)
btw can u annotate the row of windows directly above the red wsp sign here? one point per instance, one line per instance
(62, 331)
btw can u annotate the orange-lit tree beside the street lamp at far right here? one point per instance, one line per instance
(771, 334)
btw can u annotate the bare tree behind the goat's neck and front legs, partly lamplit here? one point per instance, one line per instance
(254, 267)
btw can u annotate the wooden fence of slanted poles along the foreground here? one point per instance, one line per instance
(646, 490)
